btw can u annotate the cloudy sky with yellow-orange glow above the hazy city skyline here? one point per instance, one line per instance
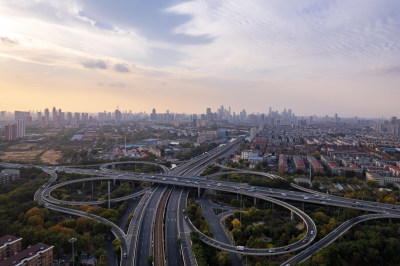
(316, 57)
